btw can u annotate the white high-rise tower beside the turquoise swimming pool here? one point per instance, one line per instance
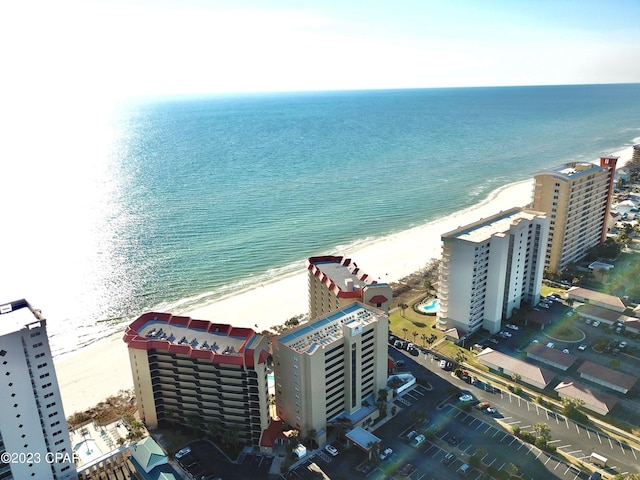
(489, 268)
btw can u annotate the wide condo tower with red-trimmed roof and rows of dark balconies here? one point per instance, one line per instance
(202, 374)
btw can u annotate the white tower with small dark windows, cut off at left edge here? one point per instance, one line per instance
(33, 428)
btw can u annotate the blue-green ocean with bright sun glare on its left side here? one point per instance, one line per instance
(169, 203)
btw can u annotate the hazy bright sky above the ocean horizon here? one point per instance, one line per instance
(108, 48)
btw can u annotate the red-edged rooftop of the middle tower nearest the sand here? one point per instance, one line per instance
(340, 274)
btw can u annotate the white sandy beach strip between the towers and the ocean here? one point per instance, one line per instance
(95, 372)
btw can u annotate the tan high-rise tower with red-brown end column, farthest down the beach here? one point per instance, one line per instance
(576, 197)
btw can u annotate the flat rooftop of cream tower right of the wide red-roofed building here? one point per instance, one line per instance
(326, 330)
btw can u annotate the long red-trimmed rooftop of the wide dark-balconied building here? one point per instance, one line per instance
(196, 338)
